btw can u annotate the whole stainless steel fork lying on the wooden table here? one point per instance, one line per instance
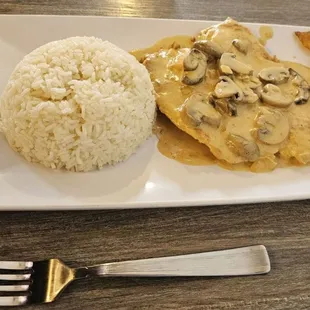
(23, 283)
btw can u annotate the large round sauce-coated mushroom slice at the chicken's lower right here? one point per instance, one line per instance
(272, 126)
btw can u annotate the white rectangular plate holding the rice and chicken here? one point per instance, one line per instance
(147, 179)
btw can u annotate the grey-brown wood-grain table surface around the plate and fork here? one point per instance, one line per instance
(82, 238)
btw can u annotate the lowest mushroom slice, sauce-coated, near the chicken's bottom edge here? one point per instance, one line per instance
(242, 147)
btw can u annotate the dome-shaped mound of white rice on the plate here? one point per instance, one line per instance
(78, 104)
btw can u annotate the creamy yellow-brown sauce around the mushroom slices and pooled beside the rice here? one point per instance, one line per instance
(164, 61)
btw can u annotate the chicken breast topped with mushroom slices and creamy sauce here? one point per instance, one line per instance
(227, 92)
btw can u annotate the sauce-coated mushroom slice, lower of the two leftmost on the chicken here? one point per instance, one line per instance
(200, 111)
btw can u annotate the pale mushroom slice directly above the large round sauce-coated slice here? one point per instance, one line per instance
(272, 95)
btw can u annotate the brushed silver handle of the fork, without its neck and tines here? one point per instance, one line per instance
(233, 262)
